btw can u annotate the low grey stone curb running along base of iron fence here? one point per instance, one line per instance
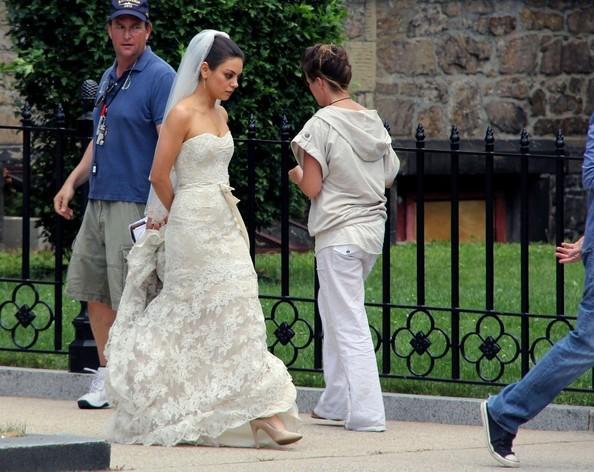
(62, 385)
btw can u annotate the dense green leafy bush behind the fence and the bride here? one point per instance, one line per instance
(59, 48)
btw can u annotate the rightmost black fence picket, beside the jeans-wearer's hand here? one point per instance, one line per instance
(560, 218)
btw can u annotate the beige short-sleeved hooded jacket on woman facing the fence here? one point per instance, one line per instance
(355, 153)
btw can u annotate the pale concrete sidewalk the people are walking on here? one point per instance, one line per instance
(326, 446)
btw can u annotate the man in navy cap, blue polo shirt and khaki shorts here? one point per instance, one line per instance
(128, 113)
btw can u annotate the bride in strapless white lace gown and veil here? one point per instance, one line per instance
(187, 359)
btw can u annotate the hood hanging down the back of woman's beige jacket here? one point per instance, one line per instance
(362, 129)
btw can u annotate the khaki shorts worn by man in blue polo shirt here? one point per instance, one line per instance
(97, 267)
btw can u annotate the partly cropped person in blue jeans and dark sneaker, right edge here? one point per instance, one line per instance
(569, 358)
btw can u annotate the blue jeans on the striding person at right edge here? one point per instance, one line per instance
(563, 363)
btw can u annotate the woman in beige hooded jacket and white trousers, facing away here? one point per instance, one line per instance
(346, 162)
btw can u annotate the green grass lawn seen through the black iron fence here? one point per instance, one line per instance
(403, 292)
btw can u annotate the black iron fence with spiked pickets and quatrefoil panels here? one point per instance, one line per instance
(480, 344)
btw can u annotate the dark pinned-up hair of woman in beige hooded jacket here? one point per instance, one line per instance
(328, 61)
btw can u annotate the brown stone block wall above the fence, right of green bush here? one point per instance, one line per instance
(509, 64)
